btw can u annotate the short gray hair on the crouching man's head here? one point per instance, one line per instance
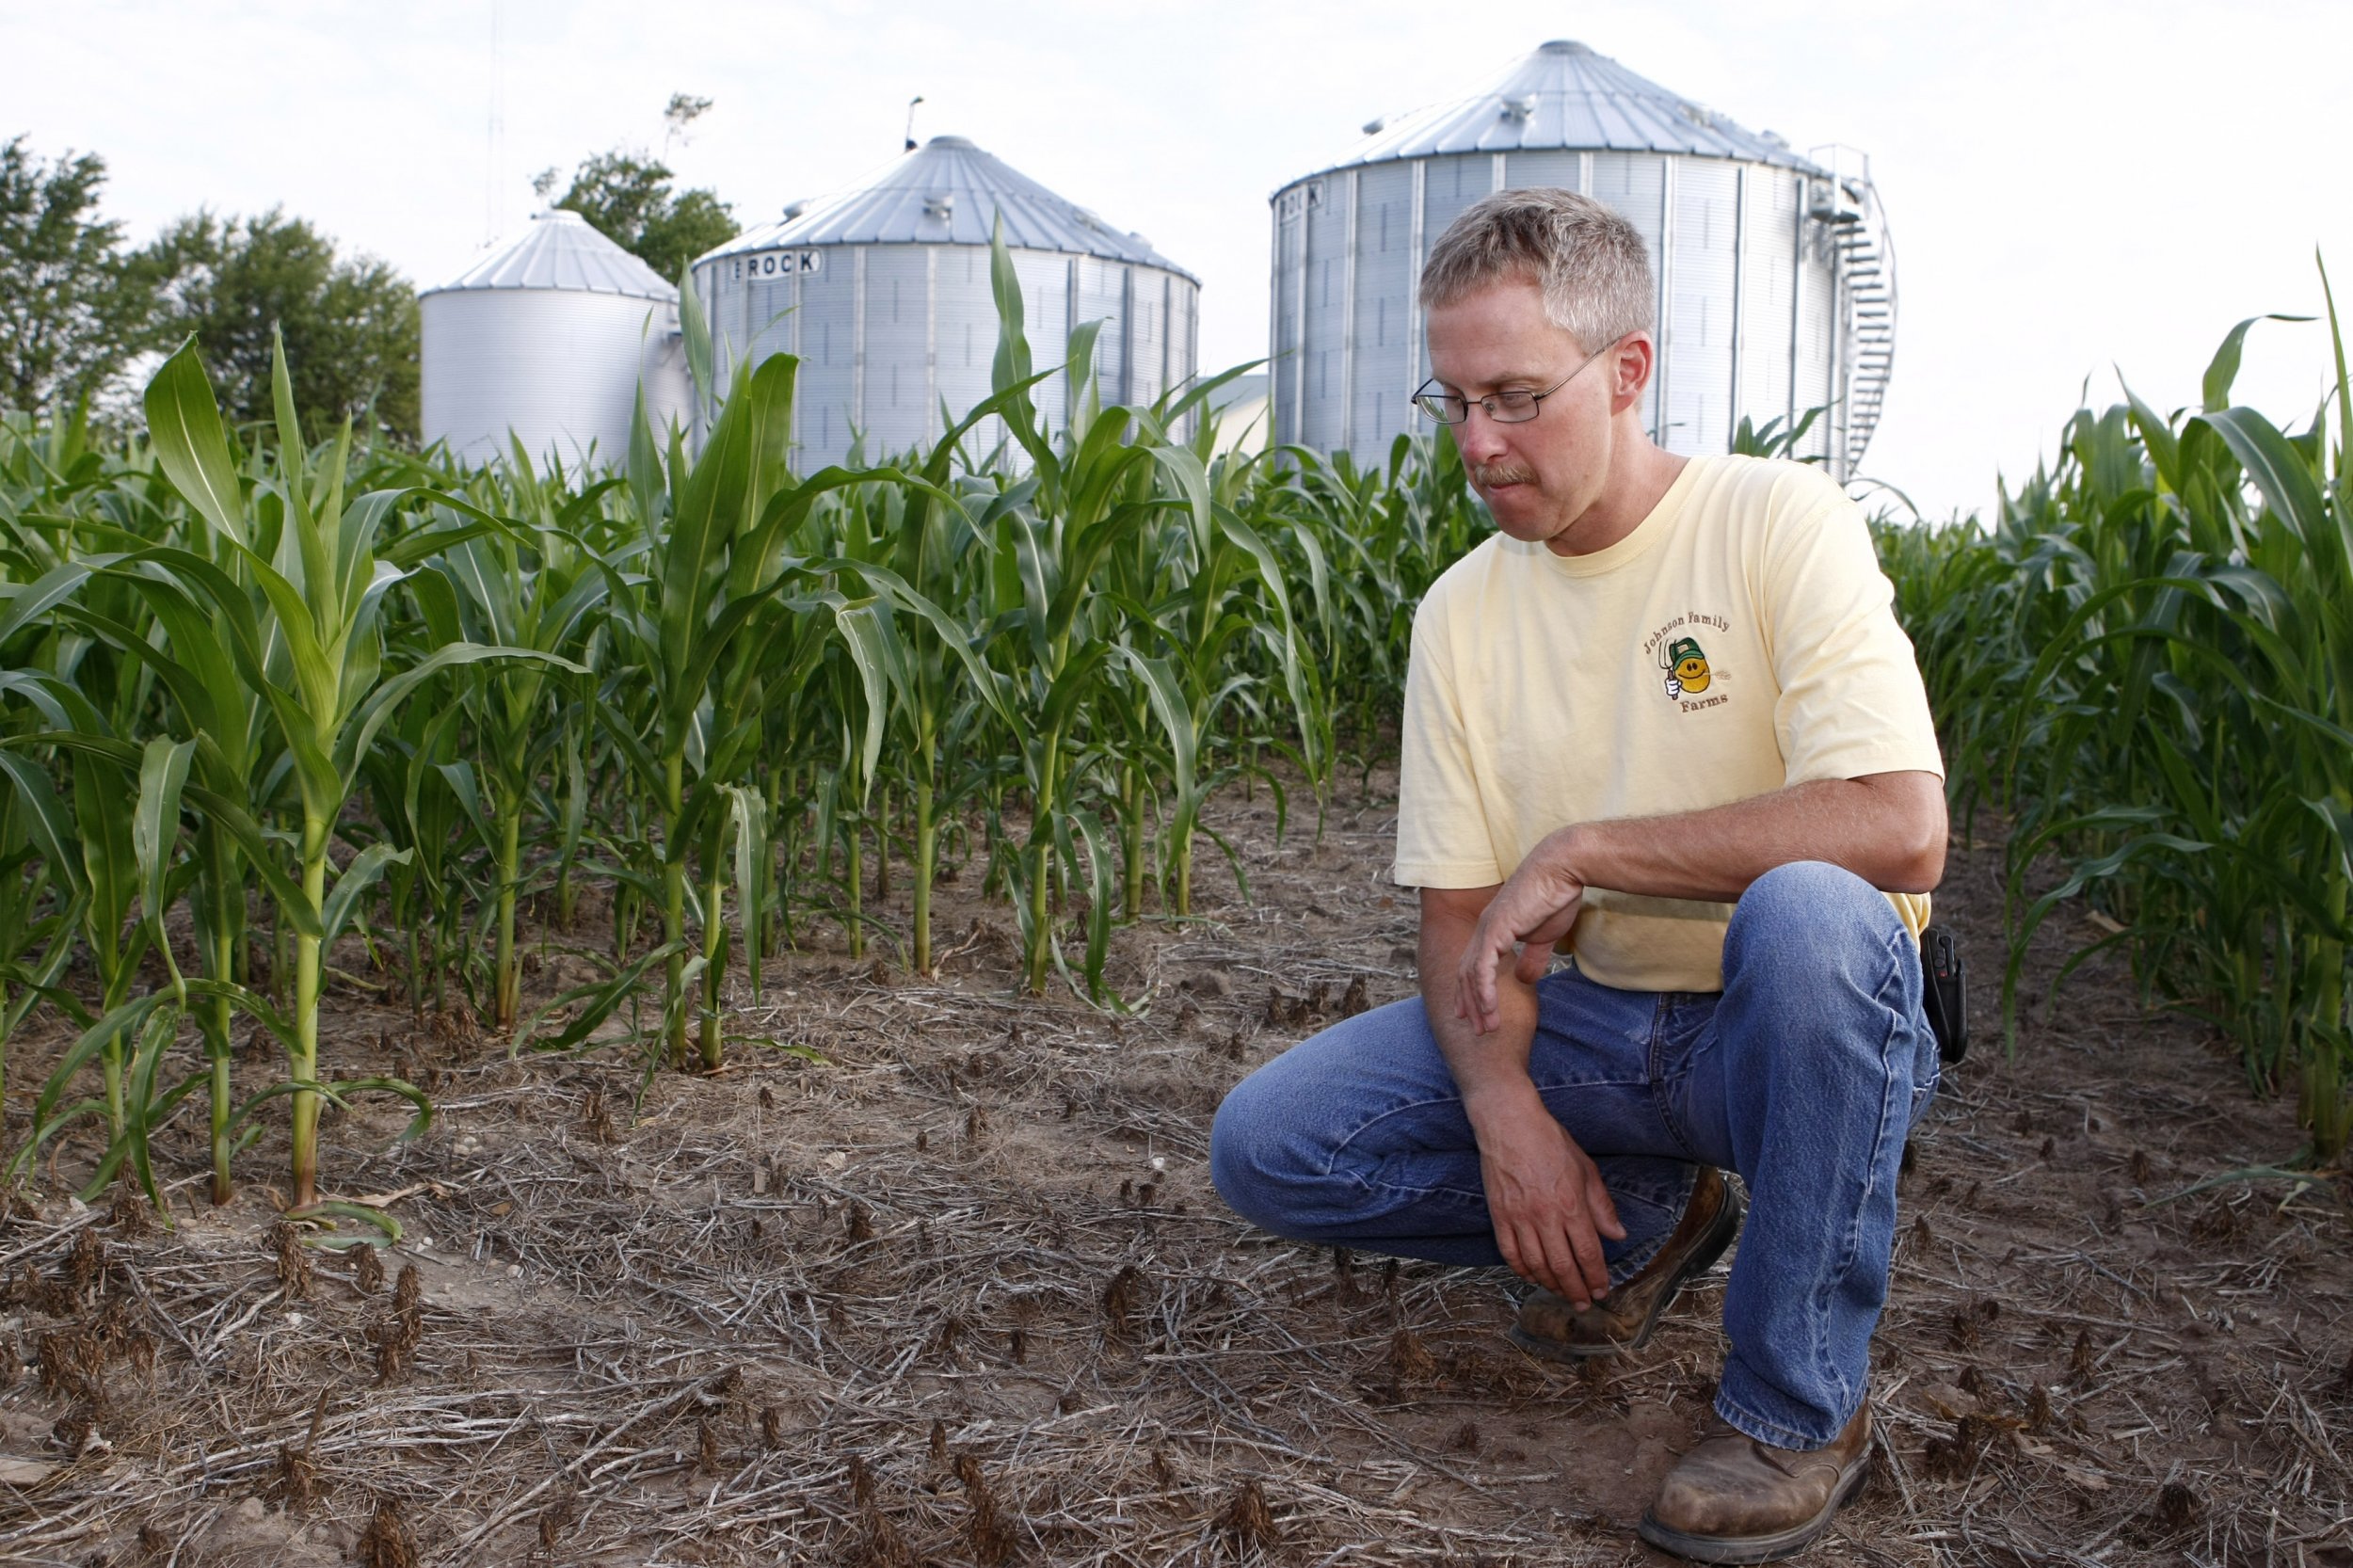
(1585, 258)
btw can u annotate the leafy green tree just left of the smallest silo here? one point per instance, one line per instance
(349, 324)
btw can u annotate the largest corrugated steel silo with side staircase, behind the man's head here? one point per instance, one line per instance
(1775, 272)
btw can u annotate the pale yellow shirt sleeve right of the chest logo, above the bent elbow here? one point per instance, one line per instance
(1851, 684)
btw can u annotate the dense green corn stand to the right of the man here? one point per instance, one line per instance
(2147, 667)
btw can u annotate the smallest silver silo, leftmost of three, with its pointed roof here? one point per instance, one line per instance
(547, 340)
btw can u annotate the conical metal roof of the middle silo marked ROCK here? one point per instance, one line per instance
(949, 194)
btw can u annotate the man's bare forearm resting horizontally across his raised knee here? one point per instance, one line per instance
(1888, 830)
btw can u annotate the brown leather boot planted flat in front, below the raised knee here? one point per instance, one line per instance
(1740, 1501)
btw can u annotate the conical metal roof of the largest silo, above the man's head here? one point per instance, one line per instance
(1571, 98)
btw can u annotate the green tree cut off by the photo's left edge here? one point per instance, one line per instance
(74, 307)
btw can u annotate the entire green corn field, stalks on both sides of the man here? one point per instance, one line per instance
(279, 715)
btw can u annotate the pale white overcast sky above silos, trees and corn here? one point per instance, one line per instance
(2077, 187)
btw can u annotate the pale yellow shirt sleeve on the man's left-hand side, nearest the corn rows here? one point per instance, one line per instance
(1441, 823)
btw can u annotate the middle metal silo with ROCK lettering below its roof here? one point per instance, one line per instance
(884, 293)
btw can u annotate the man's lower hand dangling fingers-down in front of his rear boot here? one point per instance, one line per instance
(1547, 1200)
